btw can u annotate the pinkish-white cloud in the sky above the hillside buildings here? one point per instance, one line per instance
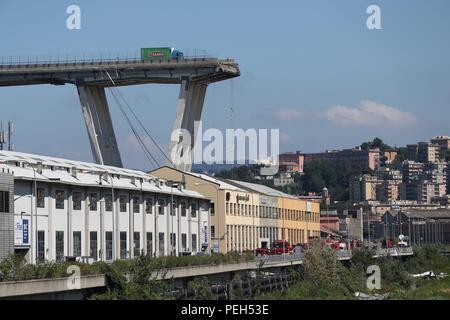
(369, 114)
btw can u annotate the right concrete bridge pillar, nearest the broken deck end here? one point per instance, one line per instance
(189, 110)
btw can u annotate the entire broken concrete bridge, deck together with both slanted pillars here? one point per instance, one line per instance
(91, 77)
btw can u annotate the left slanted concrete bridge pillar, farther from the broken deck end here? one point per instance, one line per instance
(99, 125)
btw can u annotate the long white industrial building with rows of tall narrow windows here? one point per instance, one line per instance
(65, 208)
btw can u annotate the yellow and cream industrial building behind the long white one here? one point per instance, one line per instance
(245, 216)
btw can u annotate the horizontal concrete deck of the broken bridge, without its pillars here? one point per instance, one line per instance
(122, 72)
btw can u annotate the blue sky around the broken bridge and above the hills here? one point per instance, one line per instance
(310, 68)
